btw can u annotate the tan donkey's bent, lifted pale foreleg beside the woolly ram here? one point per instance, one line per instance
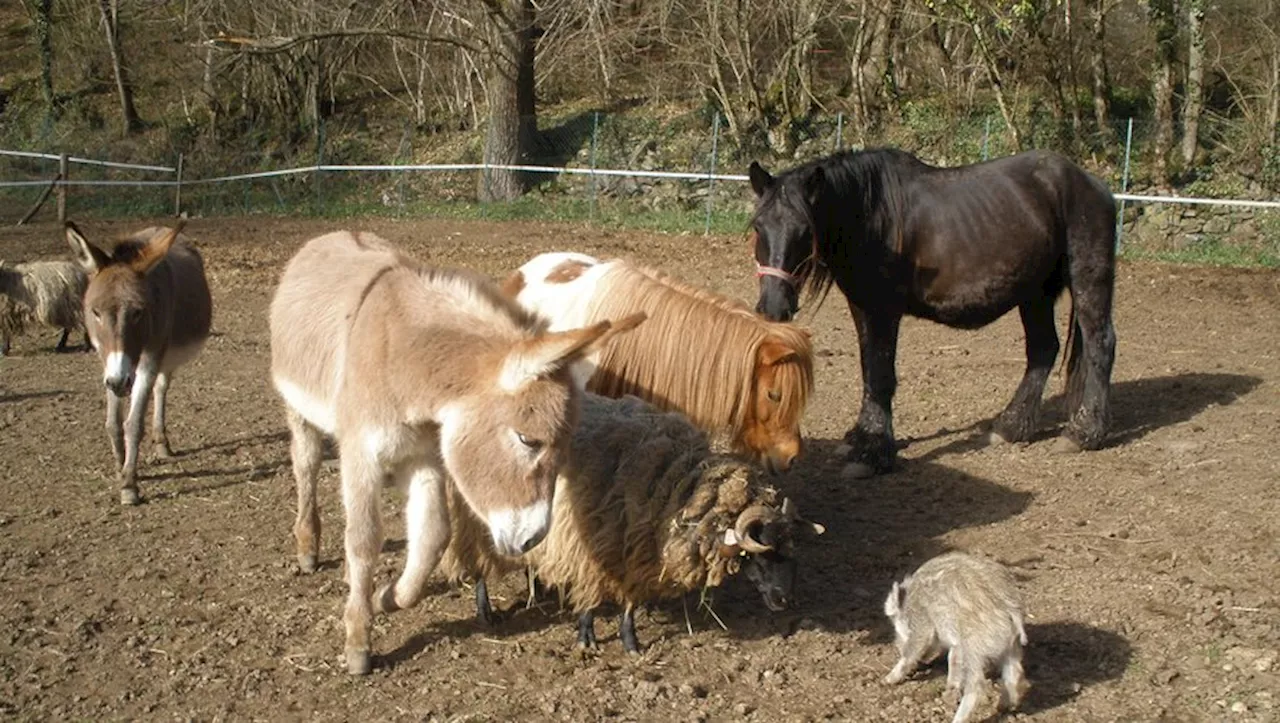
(427, 532)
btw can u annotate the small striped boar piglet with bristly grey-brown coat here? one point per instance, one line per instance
(967, 606)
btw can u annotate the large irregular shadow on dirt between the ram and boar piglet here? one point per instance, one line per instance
(877, 530)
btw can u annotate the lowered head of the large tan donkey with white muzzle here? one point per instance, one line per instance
(504, 446)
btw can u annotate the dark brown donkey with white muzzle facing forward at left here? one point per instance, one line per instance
(148, 312)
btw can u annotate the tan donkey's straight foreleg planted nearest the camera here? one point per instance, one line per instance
(362, 501)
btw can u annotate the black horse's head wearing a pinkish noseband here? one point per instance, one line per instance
(785, 236)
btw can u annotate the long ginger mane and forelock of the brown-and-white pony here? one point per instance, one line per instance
(697, 354)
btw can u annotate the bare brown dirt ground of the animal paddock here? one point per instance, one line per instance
(1151, 569)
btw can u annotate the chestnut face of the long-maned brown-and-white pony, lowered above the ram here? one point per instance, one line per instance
(780, 390)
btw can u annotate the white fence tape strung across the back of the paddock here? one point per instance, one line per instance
(395, 168)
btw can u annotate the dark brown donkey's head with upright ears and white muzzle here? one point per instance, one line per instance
(118, 313)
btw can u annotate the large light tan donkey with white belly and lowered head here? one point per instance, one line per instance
(423, 377)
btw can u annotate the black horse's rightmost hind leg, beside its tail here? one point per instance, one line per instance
(1092, 354)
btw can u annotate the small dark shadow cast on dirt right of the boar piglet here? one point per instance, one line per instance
(1064, 658)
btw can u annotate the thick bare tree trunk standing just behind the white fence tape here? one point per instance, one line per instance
(513, 121)
